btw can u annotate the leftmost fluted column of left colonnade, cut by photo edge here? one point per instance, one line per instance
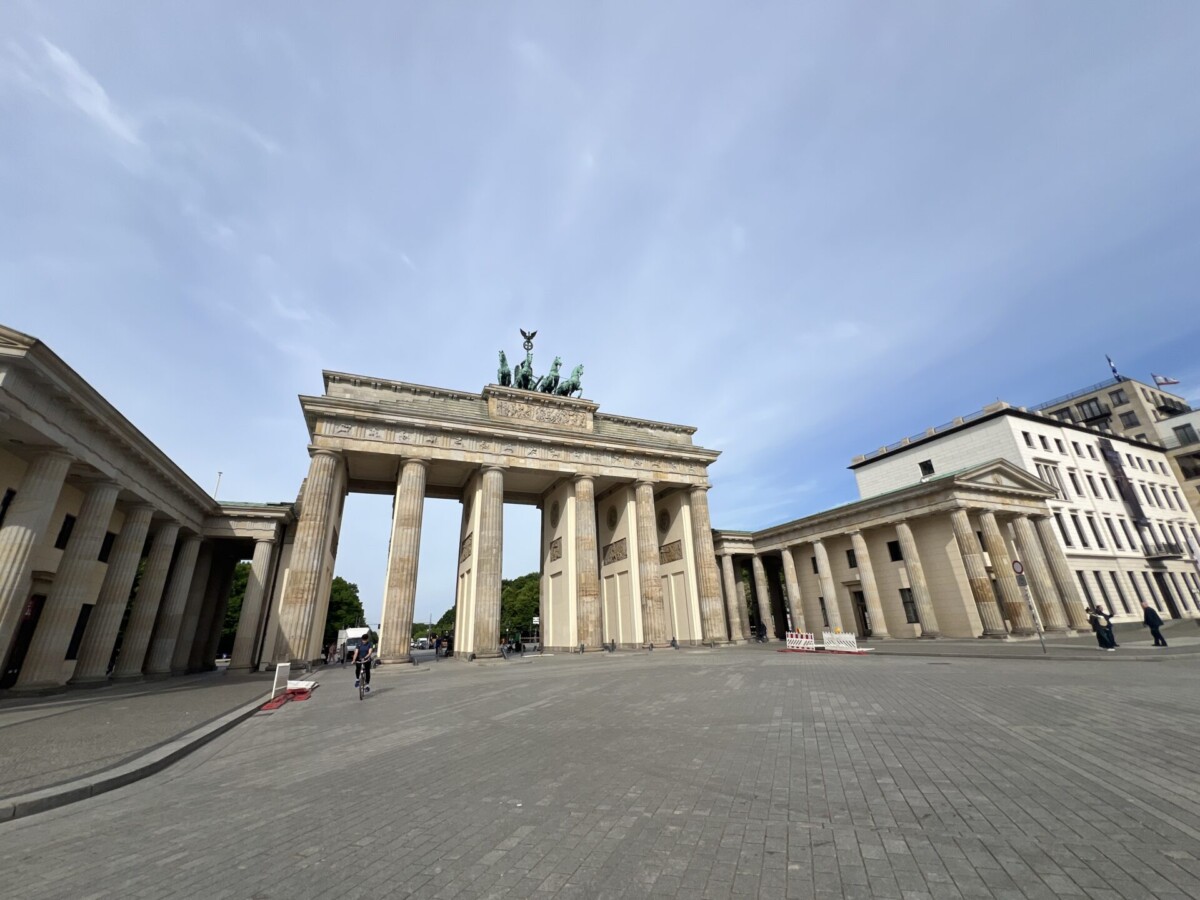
(29, 515)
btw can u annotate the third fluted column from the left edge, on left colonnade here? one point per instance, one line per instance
(105, 622)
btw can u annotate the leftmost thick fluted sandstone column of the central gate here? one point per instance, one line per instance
(299, 603)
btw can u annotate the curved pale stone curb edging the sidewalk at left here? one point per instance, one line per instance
(149, 764)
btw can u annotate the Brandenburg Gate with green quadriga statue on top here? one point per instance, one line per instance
(627, 544)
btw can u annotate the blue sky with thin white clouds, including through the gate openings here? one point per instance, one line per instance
(807, 230)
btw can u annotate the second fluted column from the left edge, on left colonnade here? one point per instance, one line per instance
(76, 584)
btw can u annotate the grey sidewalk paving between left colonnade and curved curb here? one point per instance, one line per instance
(47, 741)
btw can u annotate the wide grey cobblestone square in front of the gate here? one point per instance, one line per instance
(686, 775)
